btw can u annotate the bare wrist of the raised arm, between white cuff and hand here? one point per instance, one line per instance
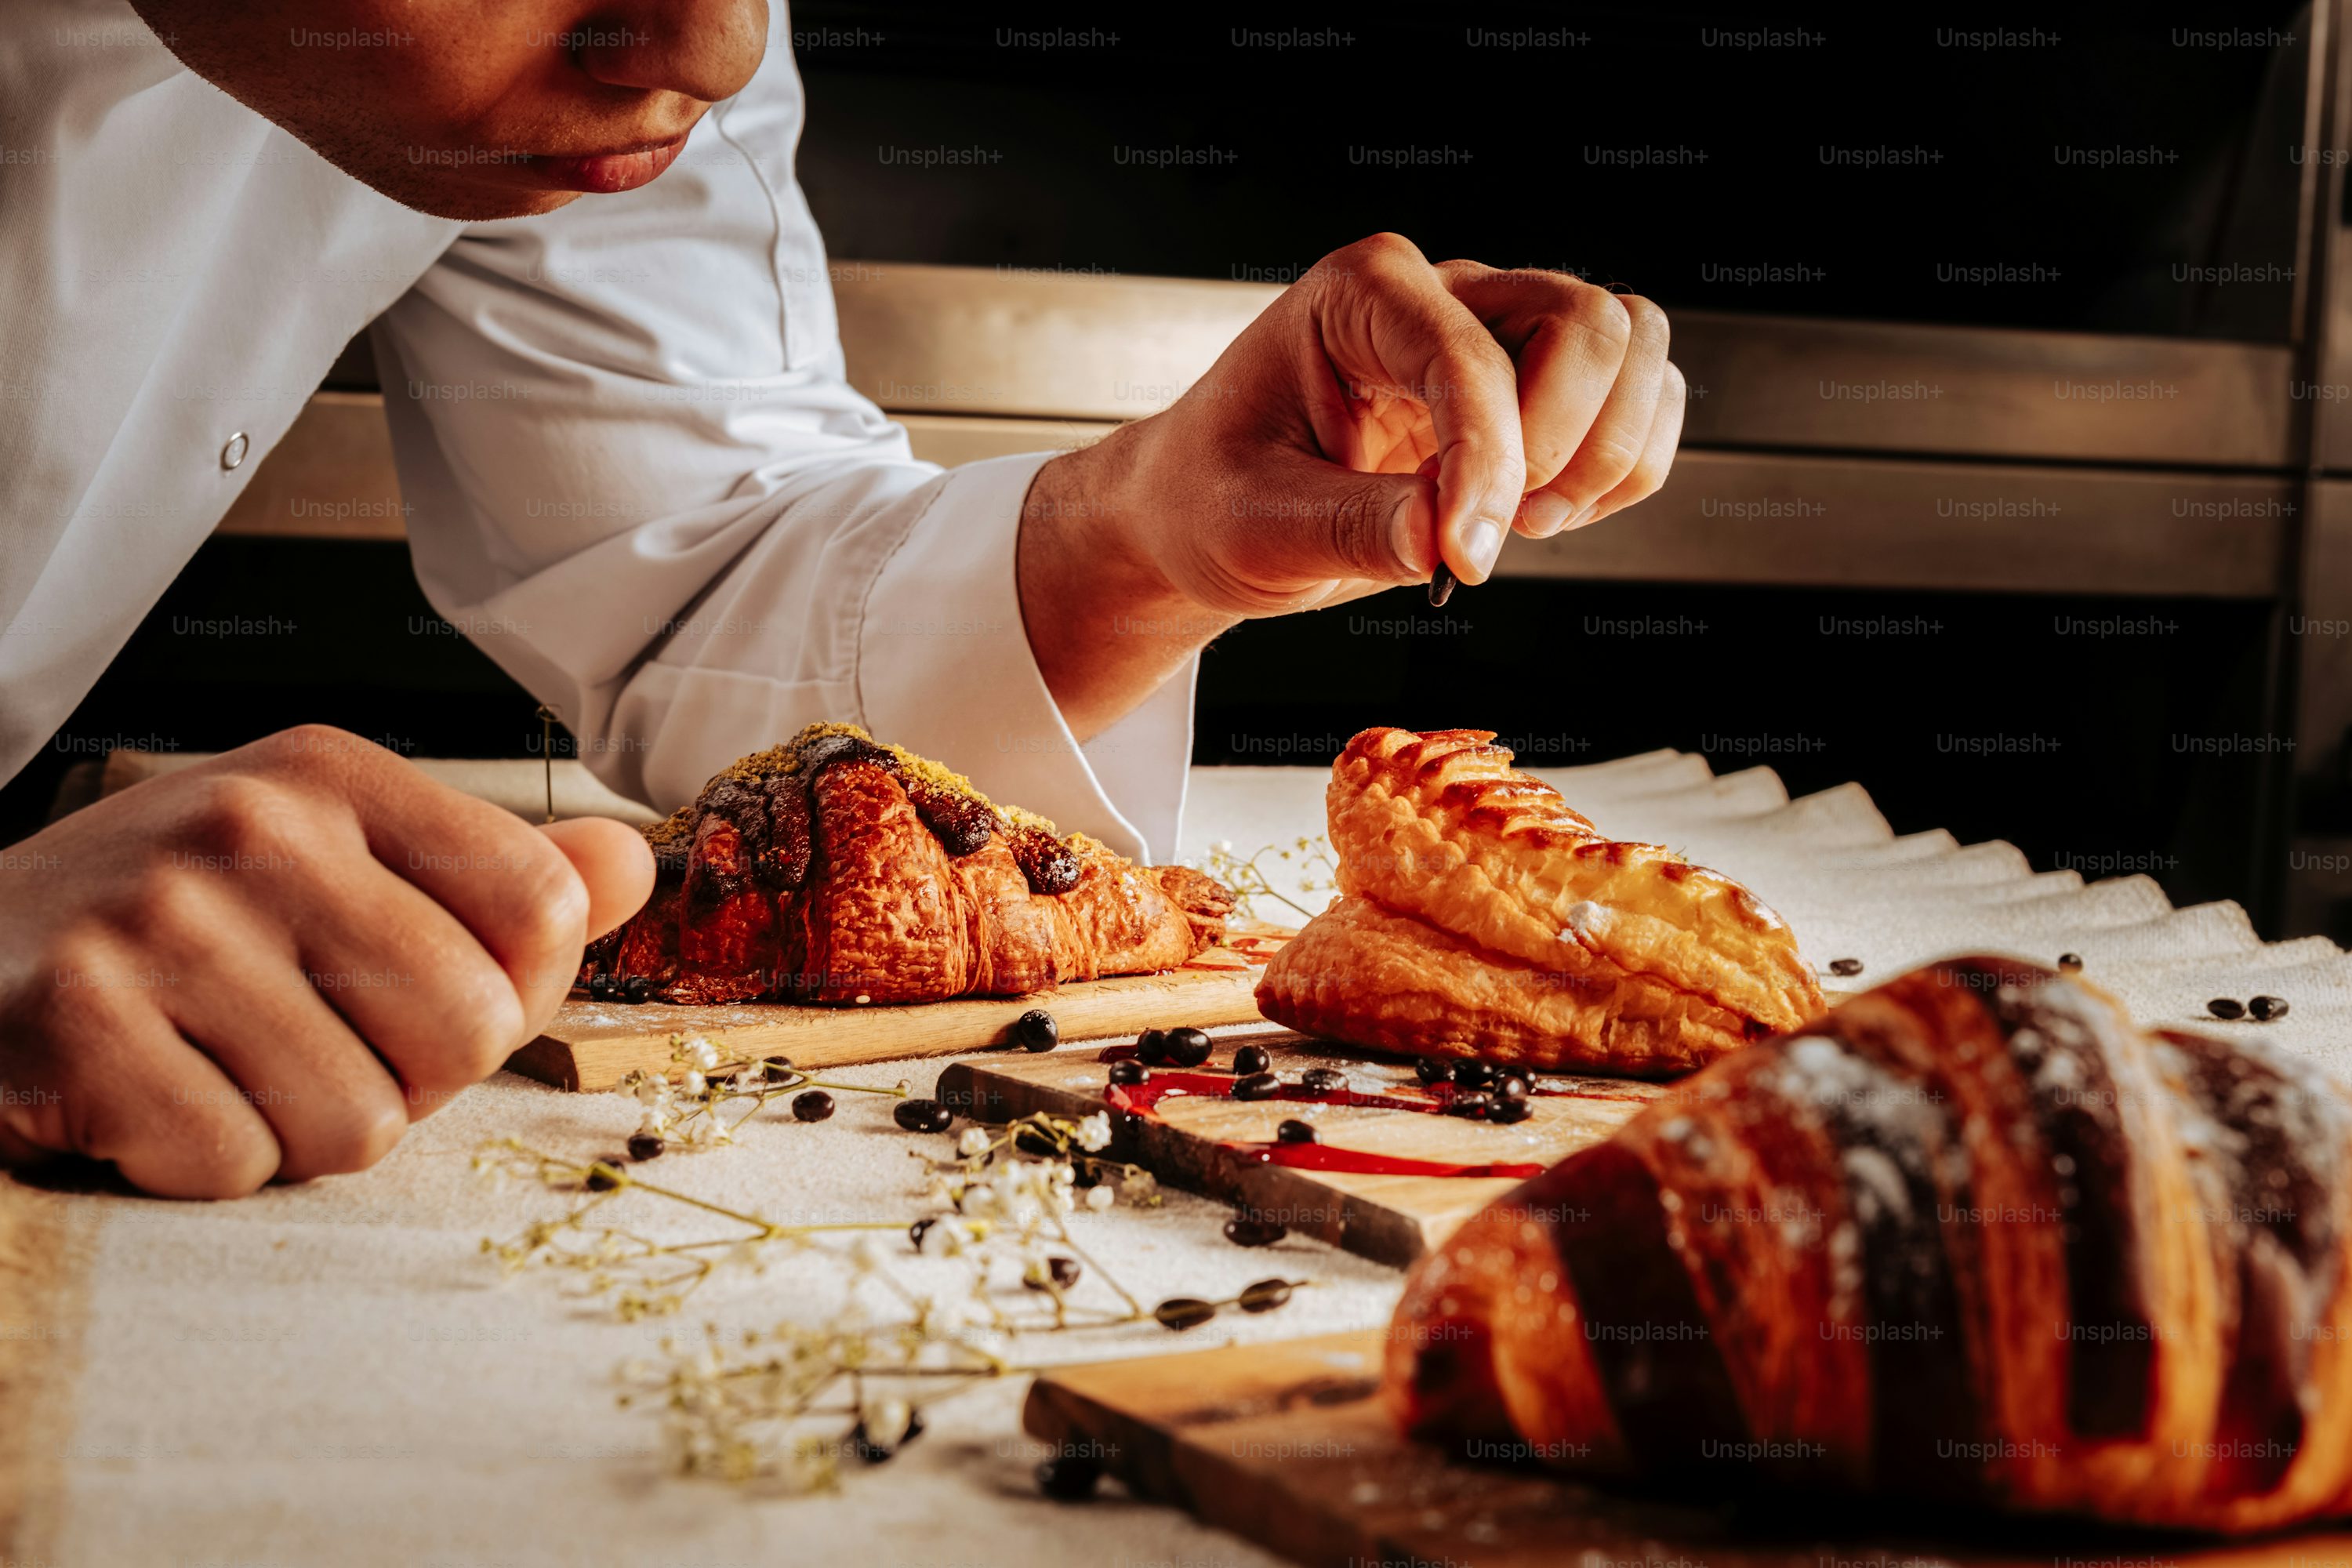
(1102, 619)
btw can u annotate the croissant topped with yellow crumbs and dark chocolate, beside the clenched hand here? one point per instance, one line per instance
(836, 869)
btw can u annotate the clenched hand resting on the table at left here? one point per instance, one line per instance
(272, 963)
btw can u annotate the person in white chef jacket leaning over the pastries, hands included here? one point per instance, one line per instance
(639, 478)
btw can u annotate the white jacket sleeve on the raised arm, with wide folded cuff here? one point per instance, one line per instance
(639, 478)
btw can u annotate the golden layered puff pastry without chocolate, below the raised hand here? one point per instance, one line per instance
(1481, 916)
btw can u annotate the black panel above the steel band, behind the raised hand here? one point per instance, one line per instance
(890, 76)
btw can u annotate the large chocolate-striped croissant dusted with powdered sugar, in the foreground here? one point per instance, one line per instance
(1972, 1238)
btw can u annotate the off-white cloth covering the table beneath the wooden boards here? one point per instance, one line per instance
(333, 1374)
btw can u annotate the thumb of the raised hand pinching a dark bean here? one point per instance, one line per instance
(1339, 523)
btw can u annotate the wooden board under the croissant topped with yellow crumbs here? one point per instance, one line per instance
(594, 1045)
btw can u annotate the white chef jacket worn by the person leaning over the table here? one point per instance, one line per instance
(634, 467)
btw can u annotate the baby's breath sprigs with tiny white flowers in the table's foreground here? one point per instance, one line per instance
(789, 1402)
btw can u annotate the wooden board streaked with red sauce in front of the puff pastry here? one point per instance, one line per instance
(1210, 1144)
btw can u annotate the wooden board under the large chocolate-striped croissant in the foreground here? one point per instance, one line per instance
(1288, 1447)
